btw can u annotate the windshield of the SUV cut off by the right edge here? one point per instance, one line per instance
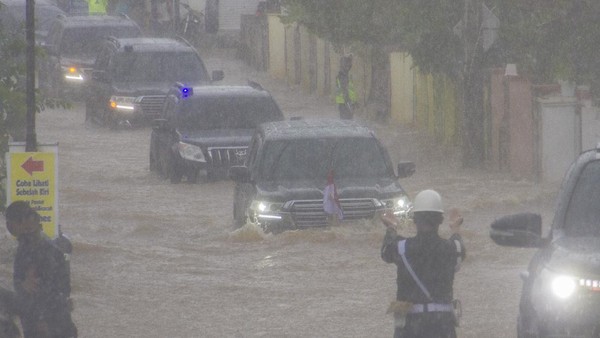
(583, 214)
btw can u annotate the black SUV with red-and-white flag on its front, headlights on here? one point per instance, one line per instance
(281, 184)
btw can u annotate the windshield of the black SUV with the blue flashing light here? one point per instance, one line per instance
(227, 112)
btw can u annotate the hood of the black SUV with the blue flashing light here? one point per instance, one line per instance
(217, 137)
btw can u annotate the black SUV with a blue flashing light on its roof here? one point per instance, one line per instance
(208, 128)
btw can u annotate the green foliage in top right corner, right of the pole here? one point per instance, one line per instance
(553, 39)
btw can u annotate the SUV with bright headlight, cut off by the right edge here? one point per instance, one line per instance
(561, 287)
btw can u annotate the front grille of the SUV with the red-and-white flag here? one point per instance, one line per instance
(310, 213)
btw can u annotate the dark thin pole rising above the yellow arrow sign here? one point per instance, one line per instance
(30, 137)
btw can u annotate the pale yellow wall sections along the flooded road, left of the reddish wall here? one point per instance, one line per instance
(426, 101)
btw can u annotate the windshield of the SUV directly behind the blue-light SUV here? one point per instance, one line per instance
(158, 67)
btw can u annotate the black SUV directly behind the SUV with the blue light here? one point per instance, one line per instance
(131, 78)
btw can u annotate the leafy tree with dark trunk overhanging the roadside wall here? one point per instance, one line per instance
(548, 39)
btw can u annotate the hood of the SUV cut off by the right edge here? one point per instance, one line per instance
(576, 255)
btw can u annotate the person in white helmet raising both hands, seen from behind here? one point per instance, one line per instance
(426, 264)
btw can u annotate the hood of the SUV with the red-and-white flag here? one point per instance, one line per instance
(380, 188)
